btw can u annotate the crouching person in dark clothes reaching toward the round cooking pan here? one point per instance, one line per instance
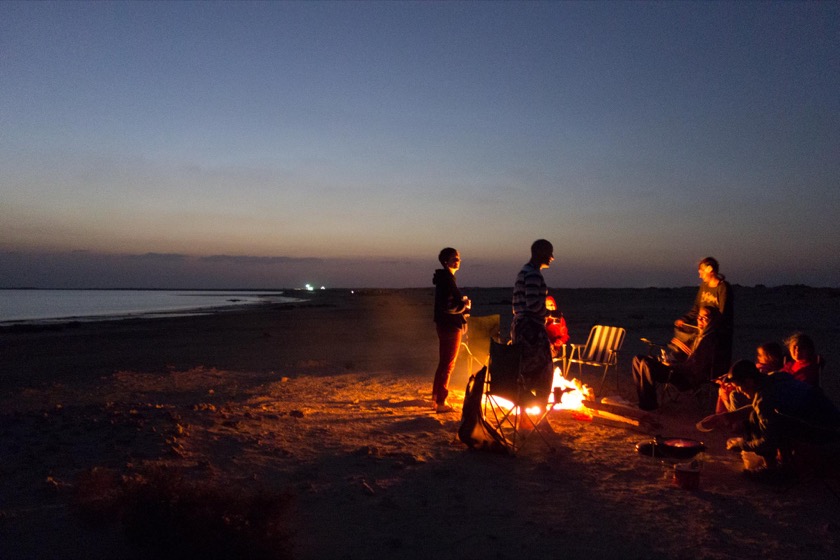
(782, 411)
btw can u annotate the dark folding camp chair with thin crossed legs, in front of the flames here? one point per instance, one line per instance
(510, 406)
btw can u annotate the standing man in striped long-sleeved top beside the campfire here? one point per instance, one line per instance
(528, 326)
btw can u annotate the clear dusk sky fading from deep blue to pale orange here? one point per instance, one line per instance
(343, 144)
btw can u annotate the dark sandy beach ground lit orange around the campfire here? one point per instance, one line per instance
(309, 427)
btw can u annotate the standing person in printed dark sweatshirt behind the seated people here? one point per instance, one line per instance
(715, 292)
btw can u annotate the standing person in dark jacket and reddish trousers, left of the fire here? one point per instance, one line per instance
(451, 309)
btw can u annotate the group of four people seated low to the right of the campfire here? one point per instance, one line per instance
(774, 404)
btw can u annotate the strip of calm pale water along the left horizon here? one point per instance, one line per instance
(46, 305)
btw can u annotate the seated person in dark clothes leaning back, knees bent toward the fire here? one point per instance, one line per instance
(703, 359)
